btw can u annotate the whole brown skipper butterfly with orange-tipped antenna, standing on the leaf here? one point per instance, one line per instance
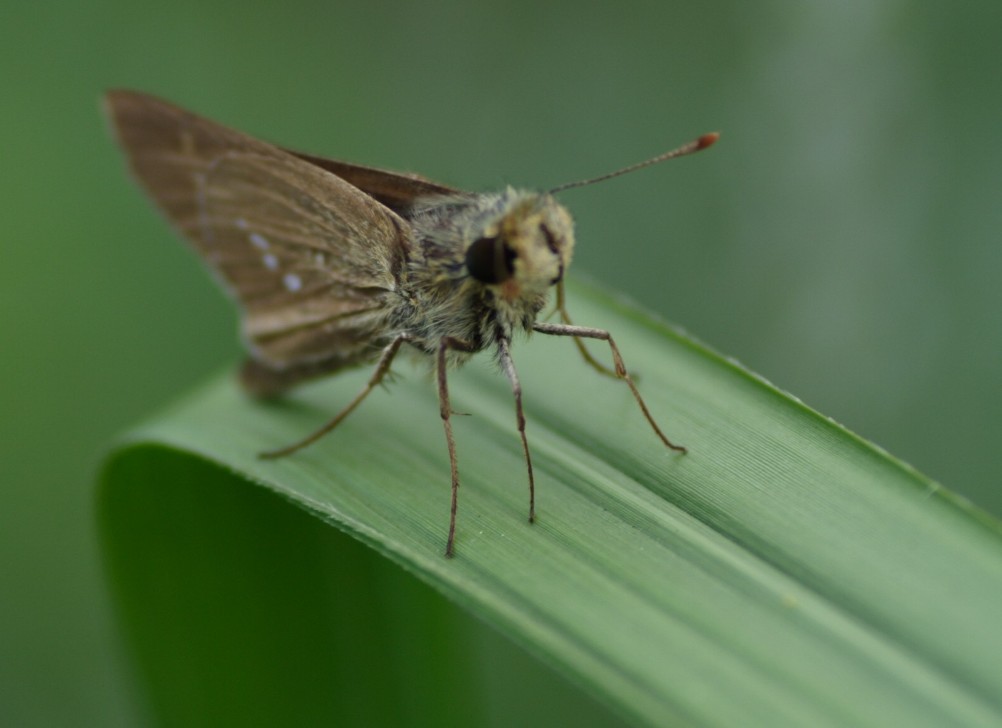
(335, 266)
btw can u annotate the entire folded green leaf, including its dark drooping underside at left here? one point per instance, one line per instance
(783, 573)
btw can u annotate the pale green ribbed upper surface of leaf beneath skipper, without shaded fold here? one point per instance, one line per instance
(784, 572)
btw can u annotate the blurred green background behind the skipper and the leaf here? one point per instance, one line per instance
(842, 240)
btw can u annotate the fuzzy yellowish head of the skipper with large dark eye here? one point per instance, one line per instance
(525, 248)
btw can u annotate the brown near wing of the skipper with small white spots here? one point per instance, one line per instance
(312, 260)
